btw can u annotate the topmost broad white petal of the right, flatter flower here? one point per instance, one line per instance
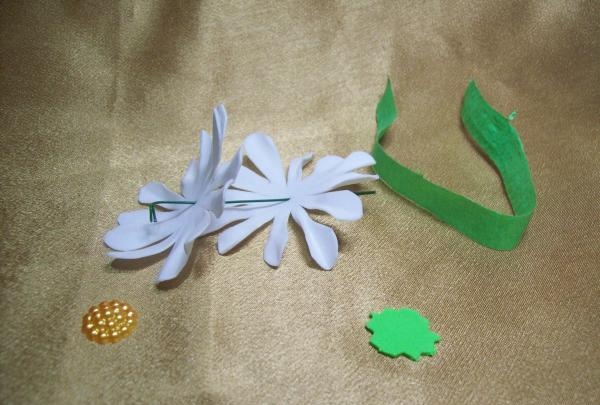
(263, 153)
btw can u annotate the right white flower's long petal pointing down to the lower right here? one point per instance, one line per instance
(321, 240)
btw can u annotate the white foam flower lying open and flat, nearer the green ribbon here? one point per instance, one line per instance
(314, 192)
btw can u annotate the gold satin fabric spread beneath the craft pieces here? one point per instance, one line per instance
(99, 98)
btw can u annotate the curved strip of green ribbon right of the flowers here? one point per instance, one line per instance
(500, 142)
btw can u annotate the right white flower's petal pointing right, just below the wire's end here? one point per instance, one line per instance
(343, 205)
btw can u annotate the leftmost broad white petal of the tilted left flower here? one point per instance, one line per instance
(137, 236)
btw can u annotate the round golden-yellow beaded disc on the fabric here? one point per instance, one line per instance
(109, 322)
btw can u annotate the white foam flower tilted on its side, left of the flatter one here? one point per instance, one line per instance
(204, 182)
